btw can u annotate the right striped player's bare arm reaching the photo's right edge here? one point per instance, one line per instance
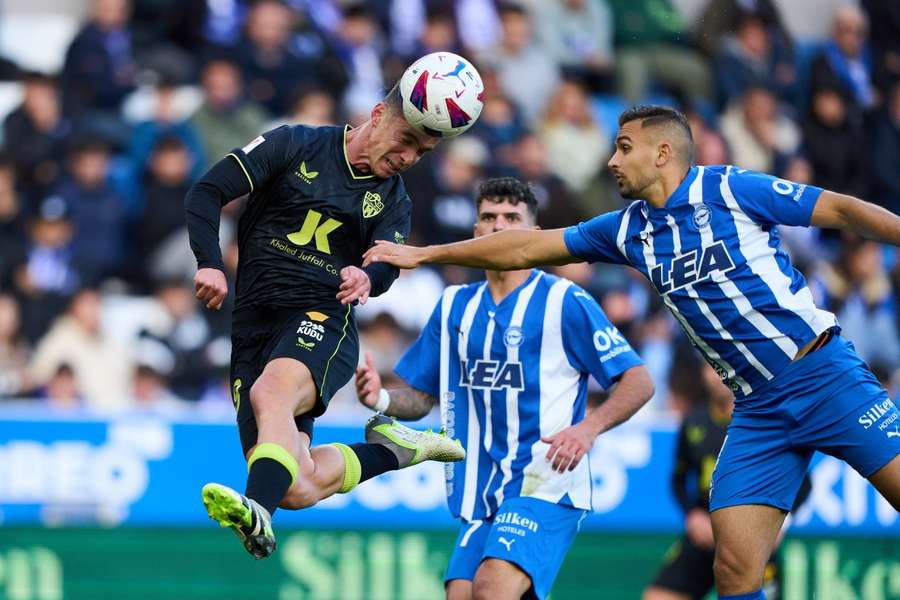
(840, 211)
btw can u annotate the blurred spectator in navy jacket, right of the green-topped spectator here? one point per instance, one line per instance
(752, 55)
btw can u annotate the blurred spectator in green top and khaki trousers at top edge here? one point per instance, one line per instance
(651, 48)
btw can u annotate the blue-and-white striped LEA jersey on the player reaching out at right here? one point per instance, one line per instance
(713, 254)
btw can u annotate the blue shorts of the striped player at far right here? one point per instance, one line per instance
(827, 401)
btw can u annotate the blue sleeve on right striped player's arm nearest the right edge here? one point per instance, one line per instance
(771, 201)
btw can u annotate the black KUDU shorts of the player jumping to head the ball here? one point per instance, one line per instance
(324, 339)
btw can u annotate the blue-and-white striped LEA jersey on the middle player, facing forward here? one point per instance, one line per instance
(508, 374)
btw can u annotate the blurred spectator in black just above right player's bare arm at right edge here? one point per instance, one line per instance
(834, 142)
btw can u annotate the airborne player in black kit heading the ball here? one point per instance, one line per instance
(318, 198)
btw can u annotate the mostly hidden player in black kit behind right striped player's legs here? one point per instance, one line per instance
(687, 570)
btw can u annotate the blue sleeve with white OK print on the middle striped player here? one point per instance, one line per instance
(592, 343)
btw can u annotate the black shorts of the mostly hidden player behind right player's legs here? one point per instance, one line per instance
(688, 569)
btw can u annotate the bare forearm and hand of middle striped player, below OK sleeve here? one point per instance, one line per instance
(569, 446)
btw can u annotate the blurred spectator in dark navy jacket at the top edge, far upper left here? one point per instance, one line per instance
(99, 70)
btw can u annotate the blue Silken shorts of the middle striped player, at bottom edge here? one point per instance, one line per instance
(533, 534)
